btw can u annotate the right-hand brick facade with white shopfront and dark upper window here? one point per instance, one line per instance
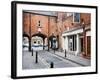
(77, 37)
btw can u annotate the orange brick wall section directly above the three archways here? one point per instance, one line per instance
(47, 23)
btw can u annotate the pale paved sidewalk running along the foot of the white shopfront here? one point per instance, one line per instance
(74, 58)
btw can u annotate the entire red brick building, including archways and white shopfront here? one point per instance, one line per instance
(69, 31)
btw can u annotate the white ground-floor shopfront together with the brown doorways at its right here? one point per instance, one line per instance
(76, 42)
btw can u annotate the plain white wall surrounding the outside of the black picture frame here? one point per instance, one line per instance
(5, 40)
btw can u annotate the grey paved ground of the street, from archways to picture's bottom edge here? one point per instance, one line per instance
(45, 59)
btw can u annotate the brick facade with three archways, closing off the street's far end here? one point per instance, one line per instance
(41, 28)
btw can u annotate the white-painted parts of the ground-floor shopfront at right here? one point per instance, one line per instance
(73, 40)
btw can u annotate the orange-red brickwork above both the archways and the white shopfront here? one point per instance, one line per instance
(52, 24)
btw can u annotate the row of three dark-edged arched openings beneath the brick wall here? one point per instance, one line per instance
(40, 41)
